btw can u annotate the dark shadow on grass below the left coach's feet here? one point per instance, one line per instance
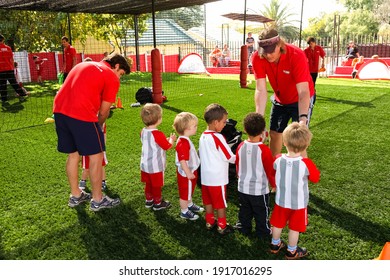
(117, 234)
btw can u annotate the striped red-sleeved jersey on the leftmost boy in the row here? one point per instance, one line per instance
(154, 146)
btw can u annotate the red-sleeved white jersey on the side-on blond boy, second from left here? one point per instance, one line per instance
(185, 150)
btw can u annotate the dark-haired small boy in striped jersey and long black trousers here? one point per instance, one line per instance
(254, 163)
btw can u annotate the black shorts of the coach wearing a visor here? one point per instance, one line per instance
(282, 114)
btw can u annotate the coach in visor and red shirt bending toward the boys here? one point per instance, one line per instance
(287, 70)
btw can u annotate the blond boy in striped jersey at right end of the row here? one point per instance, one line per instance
(292, 190)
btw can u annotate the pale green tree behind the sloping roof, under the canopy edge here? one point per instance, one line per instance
(185, 17)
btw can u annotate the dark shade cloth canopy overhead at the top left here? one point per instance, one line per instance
(133, 7)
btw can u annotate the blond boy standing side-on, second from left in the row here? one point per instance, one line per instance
(187, 162)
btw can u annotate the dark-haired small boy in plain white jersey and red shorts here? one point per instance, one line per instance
(215, 155)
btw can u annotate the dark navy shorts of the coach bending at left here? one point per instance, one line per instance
(86, 138)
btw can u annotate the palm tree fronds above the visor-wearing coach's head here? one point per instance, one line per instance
(281, 16)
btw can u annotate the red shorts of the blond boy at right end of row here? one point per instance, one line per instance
(297, 219)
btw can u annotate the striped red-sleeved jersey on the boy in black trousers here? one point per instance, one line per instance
(254, 165)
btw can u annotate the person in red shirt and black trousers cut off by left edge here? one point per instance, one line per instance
(7, 72)
